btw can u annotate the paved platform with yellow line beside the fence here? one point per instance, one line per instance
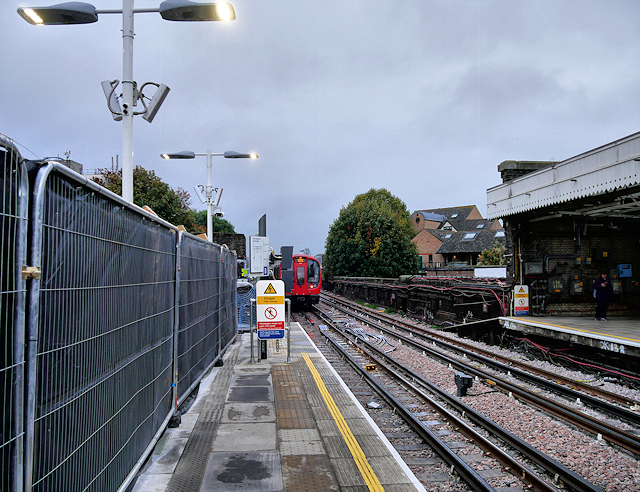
(275, 426)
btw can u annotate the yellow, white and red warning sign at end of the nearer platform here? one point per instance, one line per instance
(270, 309)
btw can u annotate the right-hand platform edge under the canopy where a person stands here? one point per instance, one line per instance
(620, 334)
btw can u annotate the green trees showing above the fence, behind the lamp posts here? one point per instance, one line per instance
(148, 189)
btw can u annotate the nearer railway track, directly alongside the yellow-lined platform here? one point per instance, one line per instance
(464, 440)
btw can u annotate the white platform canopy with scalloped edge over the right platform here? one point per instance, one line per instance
(601, 183)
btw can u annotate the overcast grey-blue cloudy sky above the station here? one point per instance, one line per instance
(422, 97)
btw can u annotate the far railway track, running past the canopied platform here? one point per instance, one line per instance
(596, 425)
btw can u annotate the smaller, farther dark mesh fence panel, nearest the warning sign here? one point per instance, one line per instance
(204, 327)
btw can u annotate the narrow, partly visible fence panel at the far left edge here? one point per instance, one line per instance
(13, 244)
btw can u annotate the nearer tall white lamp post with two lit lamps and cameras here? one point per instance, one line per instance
(85, 13)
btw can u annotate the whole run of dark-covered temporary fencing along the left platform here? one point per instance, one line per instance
(125, 313)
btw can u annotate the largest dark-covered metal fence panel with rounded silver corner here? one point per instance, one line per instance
(100, 331)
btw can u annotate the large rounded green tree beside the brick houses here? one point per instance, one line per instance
(371, 238)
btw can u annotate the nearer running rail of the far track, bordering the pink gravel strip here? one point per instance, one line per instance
(607, 431)
